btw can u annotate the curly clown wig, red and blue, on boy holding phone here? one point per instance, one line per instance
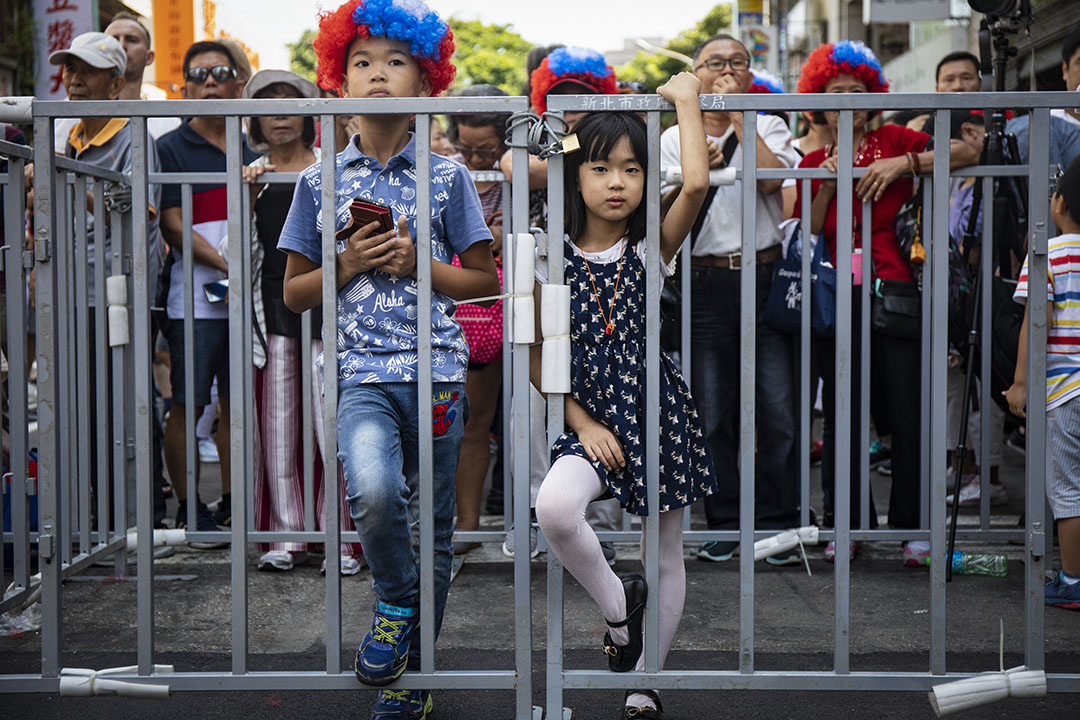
(412, 22)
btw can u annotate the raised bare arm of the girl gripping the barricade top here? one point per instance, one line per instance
(683, 92)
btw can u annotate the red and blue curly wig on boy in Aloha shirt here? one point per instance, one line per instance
(341, 28)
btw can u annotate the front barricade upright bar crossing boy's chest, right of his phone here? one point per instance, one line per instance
(424, 388)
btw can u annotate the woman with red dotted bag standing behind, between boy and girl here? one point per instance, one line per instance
(480, 141)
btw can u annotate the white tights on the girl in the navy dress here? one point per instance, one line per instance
(571, 485)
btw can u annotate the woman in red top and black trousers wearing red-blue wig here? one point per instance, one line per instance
(894, 156)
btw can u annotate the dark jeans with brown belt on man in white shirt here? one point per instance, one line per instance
(715, 371)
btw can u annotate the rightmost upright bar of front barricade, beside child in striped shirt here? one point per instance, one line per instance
(1039, 542)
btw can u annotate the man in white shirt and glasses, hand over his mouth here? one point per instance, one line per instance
(723, 65)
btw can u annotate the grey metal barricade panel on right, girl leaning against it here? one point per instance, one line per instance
(935, 351)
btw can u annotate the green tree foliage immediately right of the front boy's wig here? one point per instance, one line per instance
(492, 55)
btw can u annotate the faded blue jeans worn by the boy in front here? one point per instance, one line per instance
(380, 452)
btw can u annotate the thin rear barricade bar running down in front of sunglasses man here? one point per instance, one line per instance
(191, 418)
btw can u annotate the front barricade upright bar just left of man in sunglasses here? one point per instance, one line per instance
(144, 392)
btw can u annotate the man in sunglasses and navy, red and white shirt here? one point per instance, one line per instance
(198, 146)
